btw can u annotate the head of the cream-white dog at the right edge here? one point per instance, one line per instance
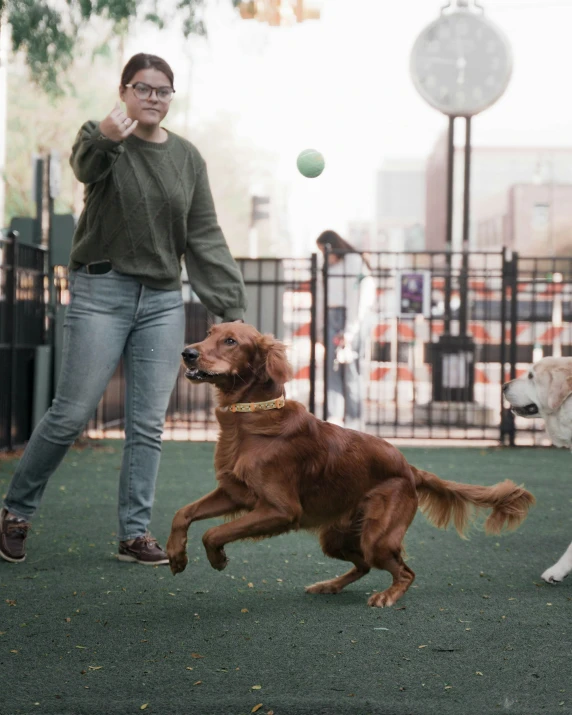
(543, 390)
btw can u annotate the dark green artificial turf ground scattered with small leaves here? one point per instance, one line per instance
(478, 632)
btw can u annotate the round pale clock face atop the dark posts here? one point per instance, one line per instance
(461, 63)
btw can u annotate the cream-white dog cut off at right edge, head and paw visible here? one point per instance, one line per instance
(544, 392)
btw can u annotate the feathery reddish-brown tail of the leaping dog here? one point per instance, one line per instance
(442, 501)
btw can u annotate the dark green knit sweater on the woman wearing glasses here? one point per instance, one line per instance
(147, 206)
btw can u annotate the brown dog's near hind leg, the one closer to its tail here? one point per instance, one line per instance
(388, 512)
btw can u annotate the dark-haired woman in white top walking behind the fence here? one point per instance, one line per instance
(351, 294)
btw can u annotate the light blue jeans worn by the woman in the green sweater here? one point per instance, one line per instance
(109, 316)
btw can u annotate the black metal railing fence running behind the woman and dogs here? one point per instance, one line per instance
(446, 331)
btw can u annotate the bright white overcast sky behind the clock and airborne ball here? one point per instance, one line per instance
(341, 85)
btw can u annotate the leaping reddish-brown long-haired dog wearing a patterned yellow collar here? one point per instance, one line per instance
(279, 468)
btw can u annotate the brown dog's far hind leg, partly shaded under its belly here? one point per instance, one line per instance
(343, 544)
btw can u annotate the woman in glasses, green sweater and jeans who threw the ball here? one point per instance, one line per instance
(147, 204)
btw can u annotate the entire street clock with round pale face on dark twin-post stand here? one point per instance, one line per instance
(461, 64)
